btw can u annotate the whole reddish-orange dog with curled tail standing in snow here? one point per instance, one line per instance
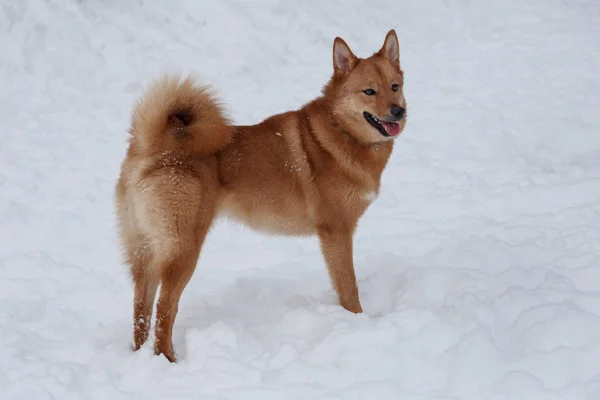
(313, 171)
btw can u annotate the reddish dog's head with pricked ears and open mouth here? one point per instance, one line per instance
(366, 94)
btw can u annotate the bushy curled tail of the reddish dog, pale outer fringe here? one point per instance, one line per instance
(179, 115)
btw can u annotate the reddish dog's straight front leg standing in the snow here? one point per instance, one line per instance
(336, 245)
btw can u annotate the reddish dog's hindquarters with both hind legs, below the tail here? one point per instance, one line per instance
(173, 211)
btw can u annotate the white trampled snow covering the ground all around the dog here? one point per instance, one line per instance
(478, 263)
